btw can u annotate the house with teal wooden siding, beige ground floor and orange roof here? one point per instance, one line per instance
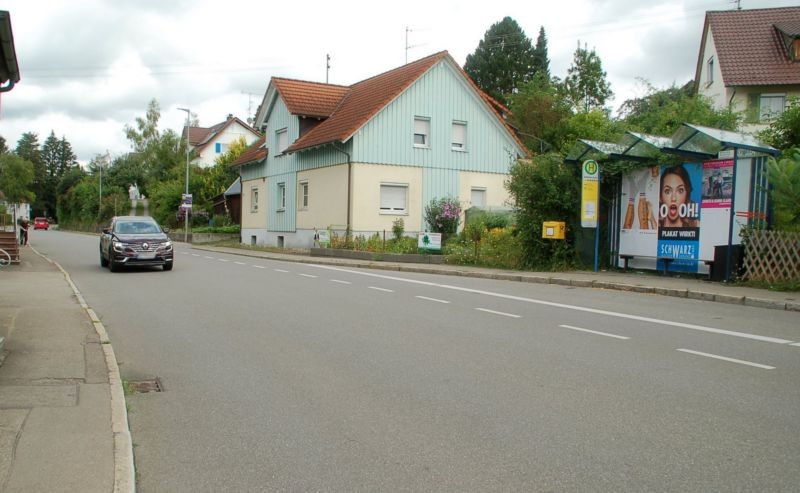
(362, 156)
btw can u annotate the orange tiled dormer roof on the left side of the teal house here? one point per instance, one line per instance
(309, 98)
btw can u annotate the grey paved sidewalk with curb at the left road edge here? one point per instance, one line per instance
(63, 425)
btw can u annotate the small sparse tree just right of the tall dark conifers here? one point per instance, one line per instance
(586, 85)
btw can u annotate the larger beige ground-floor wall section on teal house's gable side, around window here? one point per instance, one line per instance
(367, 180)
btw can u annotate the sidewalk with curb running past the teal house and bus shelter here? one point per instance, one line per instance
(639, 282)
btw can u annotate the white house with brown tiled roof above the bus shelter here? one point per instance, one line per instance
(749, 60)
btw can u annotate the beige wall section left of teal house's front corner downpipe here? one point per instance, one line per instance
(327, 198)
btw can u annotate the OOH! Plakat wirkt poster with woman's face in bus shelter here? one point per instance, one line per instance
(679, 199)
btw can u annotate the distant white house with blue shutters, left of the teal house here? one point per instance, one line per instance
(208, 143)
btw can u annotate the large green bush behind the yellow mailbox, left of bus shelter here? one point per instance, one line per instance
(545, 189)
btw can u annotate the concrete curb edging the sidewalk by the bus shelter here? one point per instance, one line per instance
(533, 278)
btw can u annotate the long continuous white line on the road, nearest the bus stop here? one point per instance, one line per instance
(596, 311)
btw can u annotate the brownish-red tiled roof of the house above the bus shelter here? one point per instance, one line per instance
(749, 46)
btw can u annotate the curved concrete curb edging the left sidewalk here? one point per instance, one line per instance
(124, 470)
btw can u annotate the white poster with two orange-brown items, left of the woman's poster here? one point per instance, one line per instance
(638, 235)
